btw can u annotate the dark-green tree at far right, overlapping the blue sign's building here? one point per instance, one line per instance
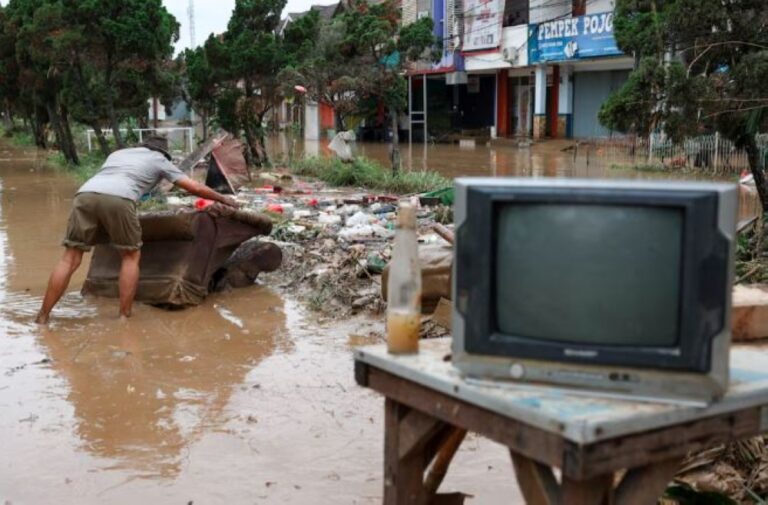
(701, 65)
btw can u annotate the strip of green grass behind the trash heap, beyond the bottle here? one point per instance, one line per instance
(366, 173)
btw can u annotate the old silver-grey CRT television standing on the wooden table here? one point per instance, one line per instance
(617, 287)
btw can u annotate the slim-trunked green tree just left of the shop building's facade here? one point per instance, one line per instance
(382, 48)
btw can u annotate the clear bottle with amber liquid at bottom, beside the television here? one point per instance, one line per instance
(404, 287)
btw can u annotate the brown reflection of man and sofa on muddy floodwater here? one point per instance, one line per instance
(142, 391)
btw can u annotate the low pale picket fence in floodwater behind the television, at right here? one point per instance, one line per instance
(712, 153)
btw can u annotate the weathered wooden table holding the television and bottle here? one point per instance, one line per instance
(608, 451)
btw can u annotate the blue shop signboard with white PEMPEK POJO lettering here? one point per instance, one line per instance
(578, 38)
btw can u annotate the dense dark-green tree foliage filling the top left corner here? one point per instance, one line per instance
(92, 61)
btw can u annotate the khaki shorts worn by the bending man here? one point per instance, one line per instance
(100, 219)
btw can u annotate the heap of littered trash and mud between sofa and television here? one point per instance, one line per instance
(336, 244)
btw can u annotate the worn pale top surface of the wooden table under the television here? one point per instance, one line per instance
(578, 417)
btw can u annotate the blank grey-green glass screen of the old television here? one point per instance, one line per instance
(589, 274)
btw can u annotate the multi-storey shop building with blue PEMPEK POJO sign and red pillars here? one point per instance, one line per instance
(517, 68)
